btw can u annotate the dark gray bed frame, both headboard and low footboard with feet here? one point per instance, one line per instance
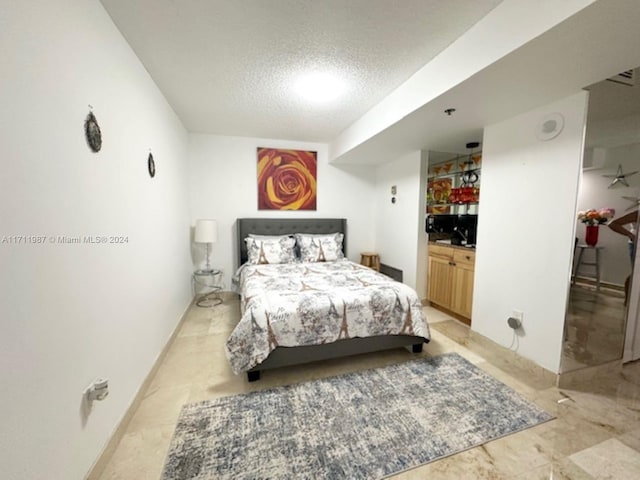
(287, 356)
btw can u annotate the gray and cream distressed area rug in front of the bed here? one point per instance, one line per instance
(363, 425)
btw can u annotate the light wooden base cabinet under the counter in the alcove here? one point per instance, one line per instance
(450, 278)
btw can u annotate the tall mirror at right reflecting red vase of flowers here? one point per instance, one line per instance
(595, 322)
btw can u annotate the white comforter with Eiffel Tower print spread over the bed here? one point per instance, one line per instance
(312, 303)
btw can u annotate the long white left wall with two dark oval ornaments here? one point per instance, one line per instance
(74, 312)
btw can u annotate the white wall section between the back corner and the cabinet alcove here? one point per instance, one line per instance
(400, 226)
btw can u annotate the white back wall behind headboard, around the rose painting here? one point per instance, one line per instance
(223, 186)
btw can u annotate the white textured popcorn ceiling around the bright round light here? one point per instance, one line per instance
(228, 67)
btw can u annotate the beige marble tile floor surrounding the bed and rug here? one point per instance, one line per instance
(596, 434)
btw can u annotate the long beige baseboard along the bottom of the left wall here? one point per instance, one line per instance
(105, 456)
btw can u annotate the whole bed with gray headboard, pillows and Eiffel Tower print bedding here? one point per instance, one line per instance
(295, 312)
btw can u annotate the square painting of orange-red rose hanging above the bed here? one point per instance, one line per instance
(286, 179)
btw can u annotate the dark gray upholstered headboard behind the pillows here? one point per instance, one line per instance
(286, 226)
